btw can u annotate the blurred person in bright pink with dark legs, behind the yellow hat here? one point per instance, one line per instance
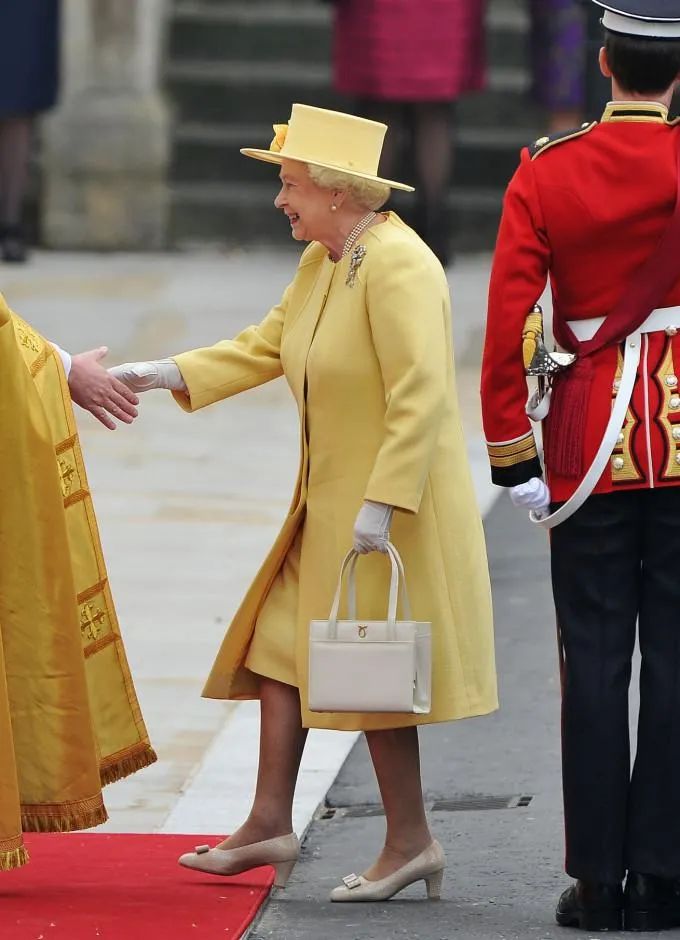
(405, 63)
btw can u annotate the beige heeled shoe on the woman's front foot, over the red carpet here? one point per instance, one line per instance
(282, 853)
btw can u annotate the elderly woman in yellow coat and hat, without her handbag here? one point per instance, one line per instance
(363, 336)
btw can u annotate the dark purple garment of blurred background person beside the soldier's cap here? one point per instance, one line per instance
(558, 43)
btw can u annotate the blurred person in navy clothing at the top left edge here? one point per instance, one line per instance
(30, 29)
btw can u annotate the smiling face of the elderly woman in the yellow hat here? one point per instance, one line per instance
(307, 205)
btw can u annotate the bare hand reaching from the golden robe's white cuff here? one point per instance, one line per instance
(98, 392)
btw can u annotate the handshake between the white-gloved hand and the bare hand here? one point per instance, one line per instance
(112, 393)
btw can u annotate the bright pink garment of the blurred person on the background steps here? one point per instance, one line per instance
(409, 50)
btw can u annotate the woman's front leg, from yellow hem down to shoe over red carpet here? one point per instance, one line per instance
(282, 741)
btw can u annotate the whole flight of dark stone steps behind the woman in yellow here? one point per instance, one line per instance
(234, 67)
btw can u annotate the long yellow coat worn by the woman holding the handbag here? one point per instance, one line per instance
(371, 369)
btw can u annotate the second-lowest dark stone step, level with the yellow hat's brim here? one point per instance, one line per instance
(484, 157)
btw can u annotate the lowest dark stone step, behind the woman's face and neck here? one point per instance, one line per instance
(226, 215)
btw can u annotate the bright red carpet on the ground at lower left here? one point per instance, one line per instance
(80, 886)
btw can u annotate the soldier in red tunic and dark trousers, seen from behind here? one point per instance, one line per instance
(597, 211)
